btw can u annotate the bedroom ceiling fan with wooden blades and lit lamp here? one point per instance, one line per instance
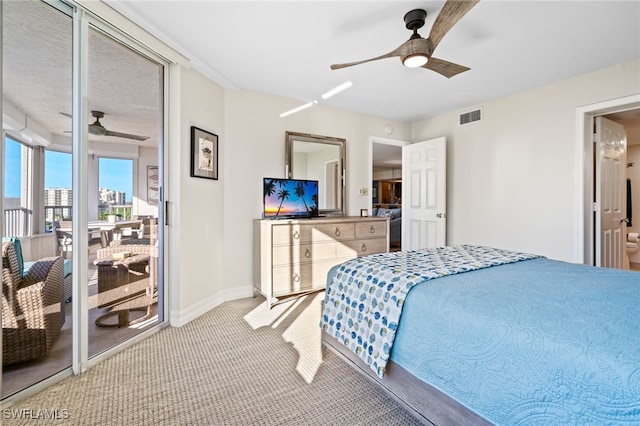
(418, 51)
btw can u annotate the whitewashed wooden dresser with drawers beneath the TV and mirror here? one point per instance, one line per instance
(292, 257)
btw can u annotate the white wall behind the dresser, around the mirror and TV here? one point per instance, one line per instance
(254, 148)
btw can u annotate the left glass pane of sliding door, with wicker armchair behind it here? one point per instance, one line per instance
(36, 310)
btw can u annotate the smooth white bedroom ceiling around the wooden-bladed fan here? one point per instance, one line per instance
(285, 48)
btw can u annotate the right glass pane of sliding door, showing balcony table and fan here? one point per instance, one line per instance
(125, 104)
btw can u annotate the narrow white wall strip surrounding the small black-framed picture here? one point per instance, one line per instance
(196, 220)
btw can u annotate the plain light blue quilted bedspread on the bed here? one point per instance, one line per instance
(533, 342)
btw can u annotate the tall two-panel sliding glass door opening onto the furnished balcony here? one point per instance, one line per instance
(82, 179)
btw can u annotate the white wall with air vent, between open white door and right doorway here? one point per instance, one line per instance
(512, 178)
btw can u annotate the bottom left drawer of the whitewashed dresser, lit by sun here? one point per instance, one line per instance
(296, 278)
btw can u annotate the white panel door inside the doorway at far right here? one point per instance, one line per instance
(610, 207)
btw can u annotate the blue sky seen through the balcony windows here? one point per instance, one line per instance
(114, 174)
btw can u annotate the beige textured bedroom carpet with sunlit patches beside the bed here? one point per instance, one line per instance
(239, 364)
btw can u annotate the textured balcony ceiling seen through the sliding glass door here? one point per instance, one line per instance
(37, 73)
